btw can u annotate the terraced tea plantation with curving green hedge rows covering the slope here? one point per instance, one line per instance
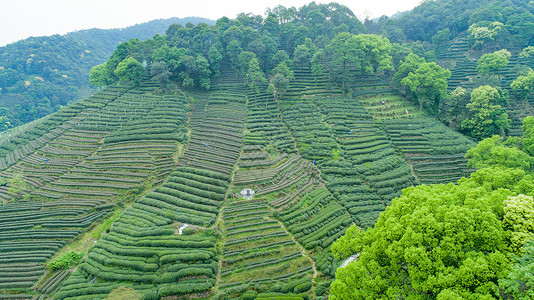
(225, 193)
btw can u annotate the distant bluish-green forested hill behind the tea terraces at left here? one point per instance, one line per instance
(38, 74)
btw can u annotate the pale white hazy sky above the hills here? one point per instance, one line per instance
(20, 19)
